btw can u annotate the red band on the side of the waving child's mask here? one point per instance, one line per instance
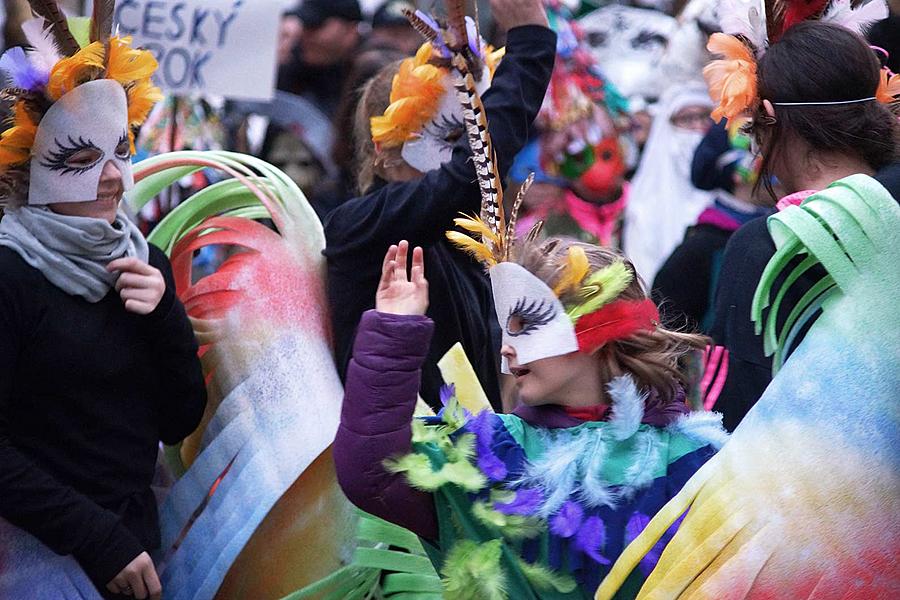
(615, 321)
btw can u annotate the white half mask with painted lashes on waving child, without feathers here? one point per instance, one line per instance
(543, 328)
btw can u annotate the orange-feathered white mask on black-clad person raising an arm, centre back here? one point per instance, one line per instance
(423, 117)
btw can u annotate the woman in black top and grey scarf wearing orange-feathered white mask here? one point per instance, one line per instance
(98, 360)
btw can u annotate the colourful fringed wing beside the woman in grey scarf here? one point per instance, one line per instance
(256, 511)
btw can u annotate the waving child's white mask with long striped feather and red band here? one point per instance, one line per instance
(533, 317)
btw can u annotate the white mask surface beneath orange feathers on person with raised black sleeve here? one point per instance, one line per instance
(434, 146)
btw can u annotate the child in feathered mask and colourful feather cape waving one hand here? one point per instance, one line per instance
(537, 503)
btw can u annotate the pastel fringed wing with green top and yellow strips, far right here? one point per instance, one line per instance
(804, 500)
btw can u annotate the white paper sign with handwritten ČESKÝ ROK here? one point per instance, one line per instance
(221, 47)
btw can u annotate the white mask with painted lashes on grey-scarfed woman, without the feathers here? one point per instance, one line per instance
(81, 132)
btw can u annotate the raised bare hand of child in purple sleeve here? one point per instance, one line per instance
(398, 294)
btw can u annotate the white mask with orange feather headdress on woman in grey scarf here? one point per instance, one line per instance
(65, 55)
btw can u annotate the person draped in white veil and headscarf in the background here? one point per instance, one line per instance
(663, 202)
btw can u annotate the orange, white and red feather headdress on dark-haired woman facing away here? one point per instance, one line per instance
(749, 26)
